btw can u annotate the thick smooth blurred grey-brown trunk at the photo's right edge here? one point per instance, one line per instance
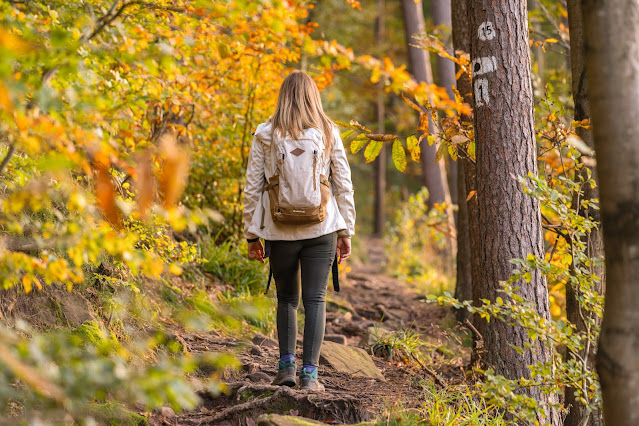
(611, 29)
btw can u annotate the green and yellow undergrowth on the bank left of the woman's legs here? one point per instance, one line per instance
(133, 350)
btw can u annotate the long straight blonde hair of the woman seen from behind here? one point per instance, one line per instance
(299, 107)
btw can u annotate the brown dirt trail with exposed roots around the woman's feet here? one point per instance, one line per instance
(368, 303)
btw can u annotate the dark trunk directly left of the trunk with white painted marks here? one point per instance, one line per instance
(467, 216)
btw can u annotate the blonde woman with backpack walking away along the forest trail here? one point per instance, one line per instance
(299, 199)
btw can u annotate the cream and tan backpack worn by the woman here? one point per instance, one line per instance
(298, 191)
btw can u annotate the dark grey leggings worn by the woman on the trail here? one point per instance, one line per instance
(315, 257)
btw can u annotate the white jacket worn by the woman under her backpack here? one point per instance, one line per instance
(340, 211)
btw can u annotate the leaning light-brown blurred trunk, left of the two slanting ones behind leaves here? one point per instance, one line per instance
(433, 173)
